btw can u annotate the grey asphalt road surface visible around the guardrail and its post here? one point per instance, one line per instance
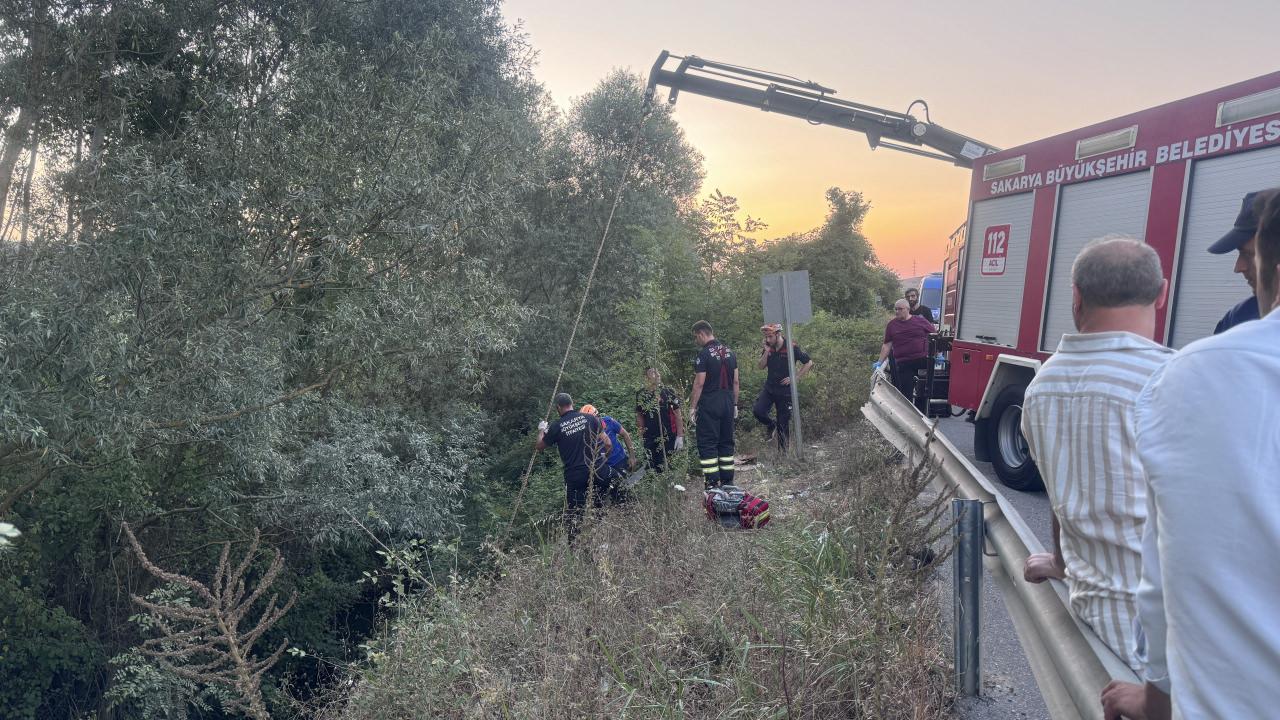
(1008, 687)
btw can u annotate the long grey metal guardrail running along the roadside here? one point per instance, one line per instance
(1071, 664)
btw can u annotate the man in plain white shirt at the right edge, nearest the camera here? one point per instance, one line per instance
(1209, 438)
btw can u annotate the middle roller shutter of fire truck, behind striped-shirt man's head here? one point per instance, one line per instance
(1087, 211)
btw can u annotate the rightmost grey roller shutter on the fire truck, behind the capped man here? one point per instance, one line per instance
(1206, 288)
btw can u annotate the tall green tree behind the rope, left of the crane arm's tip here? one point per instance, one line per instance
(589, 152)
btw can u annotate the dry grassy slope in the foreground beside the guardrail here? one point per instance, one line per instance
(659, 613)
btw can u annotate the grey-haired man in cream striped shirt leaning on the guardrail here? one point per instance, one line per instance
(1078, 418)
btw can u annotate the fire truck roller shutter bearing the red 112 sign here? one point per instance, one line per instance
(991, 304)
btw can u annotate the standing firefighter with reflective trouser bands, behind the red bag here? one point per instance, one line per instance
(715, 405)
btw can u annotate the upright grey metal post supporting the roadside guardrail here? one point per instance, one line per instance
(967, 599)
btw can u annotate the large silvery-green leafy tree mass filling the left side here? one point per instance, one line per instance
(260, 285)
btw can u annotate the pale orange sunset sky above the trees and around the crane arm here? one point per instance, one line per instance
(1005, 74)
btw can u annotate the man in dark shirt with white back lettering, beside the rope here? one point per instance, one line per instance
(583, 445)
